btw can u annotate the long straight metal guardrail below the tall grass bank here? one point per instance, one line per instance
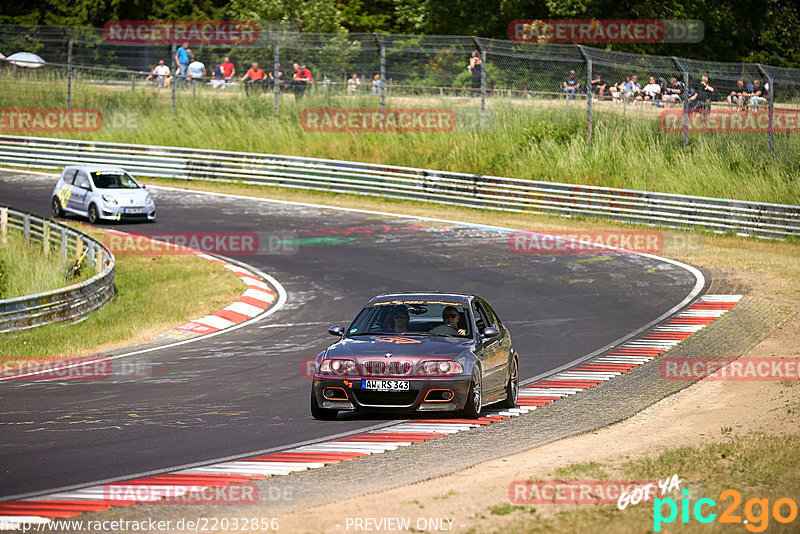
(478, 191)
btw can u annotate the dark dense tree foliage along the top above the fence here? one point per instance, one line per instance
(765, 31)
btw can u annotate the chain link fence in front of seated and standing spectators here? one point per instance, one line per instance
(393, 71)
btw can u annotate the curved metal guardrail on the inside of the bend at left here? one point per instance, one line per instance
(71, 303)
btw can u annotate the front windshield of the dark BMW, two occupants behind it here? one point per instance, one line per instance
(413, 317)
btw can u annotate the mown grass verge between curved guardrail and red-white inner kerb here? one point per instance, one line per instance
(154, 293)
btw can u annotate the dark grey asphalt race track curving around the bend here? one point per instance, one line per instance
(244, 391)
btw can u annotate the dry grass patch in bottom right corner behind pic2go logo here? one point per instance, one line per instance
(764, 468)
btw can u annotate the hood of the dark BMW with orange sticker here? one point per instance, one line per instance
(398, 346)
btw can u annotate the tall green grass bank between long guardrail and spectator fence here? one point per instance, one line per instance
(529, 139)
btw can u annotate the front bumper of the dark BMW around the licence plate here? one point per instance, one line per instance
(423, 395)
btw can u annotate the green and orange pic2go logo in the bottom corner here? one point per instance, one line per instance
(754, 522)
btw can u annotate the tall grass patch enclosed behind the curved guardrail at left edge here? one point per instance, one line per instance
(25, 271)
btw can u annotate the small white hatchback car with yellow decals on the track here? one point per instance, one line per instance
(101, 193)
